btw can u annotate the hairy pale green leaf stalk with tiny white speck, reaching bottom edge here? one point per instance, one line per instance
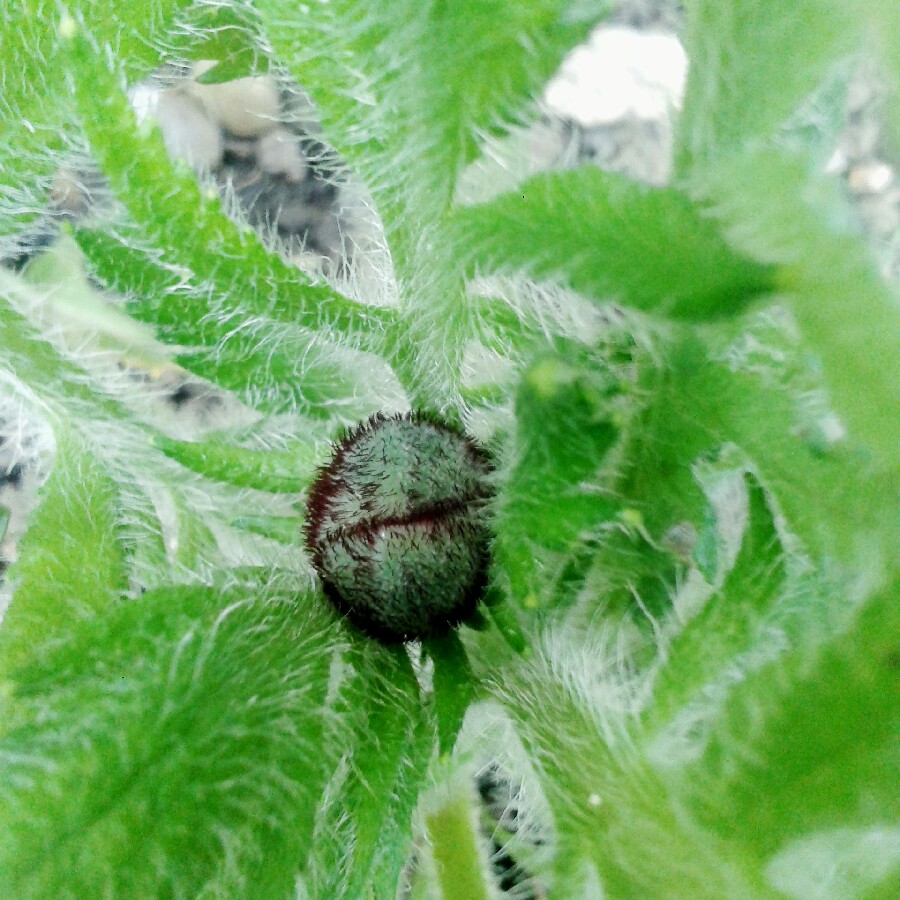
(610, 810)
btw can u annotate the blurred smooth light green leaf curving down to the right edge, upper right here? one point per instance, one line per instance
(772, 207)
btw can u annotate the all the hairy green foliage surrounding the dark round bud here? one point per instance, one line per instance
(688, 653)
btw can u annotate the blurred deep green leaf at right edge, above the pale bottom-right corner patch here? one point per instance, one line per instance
(809, 741)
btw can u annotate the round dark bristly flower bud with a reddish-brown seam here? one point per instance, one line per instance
(397, 527)
